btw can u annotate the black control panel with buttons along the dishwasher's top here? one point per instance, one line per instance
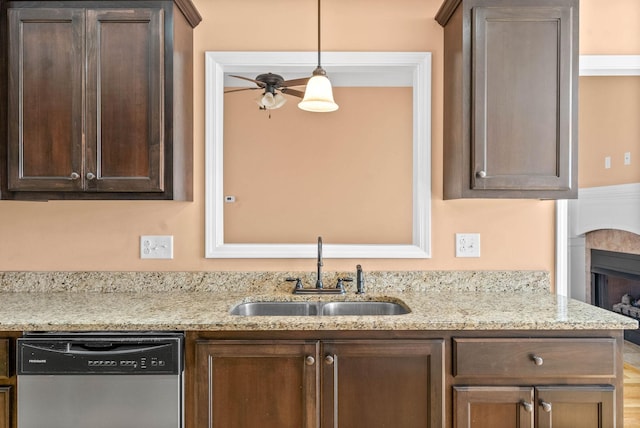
(99, 355)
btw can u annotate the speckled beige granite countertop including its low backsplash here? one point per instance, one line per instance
(77, 301)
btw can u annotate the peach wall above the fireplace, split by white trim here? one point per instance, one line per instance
(609, 106)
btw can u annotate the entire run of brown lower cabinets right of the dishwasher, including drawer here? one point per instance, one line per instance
(404, 379)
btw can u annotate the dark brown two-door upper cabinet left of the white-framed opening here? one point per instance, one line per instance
(100, 100)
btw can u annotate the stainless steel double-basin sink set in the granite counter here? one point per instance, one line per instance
(319, 308)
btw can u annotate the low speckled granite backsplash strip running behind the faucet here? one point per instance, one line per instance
(256, 282)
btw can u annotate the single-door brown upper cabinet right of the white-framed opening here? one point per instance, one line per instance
(510, 98)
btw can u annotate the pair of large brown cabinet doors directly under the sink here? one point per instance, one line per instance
(310, 384)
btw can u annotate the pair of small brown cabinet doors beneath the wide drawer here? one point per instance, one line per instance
(540, 407)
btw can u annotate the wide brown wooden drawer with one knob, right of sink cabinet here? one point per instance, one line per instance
(522, 357)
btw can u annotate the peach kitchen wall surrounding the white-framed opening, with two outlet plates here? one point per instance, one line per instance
(103, 235)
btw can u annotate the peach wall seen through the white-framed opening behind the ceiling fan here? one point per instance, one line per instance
(346, 176)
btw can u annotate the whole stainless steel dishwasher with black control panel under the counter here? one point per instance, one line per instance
(100, 380)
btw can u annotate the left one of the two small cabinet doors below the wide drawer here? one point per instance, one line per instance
(493, 407)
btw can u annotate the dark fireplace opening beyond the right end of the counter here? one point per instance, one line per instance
(615, 285)
